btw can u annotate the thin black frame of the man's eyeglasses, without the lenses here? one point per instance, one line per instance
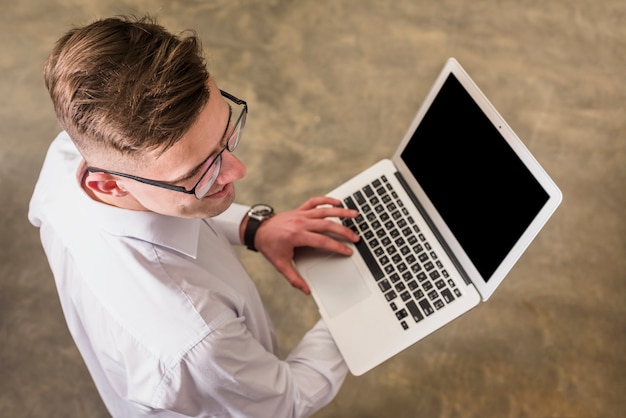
(236, 128)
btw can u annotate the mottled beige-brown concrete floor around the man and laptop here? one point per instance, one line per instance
(332, 85)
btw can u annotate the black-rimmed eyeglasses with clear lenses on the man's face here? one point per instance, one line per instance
(210, 174)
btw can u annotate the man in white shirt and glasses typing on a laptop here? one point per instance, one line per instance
(136, 214)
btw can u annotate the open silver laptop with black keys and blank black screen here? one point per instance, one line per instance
(441, 223)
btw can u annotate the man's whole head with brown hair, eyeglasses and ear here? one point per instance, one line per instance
(140, 105)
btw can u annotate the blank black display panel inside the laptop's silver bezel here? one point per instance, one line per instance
(472, 176)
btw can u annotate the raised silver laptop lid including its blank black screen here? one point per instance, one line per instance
(474, 180)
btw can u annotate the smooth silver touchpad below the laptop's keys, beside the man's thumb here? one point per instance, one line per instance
(338, 284)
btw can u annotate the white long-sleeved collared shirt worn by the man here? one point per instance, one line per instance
(164, 314)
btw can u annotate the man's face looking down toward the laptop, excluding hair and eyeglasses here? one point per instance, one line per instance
(182, 165)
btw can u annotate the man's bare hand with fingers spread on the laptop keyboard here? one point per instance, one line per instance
(306, 226)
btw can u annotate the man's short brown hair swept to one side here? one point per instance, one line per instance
(126, 85)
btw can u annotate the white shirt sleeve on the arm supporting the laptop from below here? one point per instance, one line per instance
(230, 373)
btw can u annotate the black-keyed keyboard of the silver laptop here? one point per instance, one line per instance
(408, 271)
